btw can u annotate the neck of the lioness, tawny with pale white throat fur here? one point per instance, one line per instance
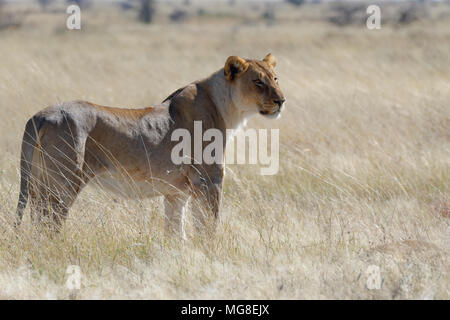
(221, 94)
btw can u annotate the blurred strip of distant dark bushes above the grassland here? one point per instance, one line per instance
(19, 13)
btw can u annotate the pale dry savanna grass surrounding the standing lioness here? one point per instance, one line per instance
(364, 160)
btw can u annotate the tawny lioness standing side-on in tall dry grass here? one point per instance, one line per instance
(66, 145)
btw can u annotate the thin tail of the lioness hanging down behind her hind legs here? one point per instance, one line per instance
(29, 141)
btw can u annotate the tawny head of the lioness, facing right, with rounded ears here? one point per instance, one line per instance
(255, 85)
